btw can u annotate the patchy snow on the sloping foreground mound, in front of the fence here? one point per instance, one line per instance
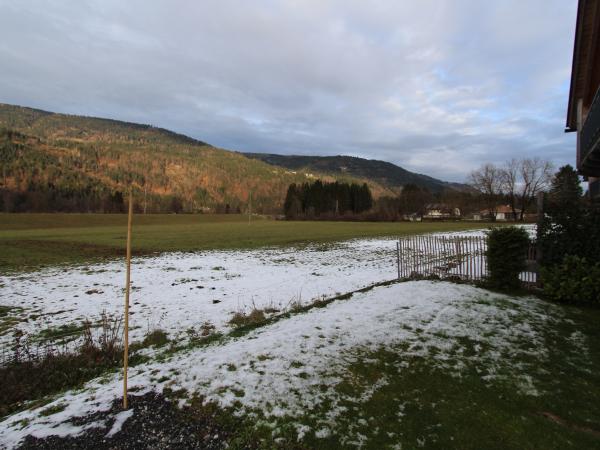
(292, 367)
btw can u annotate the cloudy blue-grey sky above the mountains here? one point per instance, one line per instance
(436, 86)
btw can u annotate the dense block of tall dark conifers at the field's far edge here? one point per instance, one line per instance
(322, 199)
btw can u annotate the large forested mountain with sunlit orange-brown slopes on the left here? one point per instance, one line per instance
(59, 162)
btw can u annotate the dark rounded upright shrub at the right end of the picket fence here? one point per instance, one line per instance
(506, 256)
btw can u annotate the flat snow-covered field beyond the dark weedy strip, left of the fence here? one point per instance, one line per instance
(177, 291)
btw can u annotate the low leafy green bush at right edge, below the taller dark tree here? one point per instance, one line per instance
(574, 280)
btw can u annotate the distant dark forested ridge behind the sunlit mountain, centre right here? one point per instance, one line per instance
(382, 172)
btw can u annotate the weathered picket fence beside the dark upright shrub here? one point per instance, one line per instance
(452, 256)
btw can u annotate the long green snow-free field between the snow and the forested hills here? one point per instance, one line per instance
(31, 241)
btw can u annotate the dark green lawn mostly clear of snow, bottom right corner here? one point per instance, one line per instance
(420, 404)
